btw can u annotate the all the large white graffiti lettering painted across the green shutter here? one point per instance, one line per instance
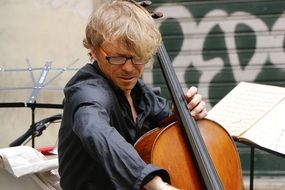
(269, 44)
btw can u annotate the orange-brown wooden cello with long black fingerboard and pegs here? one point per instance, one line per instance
(198, 155)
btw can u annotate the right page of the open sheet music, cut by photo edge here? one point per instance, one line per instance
(269, 132)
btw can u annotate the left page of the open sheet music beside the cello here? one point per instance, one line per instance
(244, 105)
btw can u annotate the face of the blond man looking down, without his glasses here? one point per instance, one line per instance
(124, 76)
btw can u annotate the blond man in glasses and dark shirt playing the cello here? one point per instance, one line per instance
(108, 107)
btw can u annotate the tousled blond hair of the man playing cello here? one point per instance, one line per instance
(126, 22)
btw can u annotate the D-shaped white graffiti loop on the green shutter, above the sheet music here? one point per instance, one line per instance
(259, 57)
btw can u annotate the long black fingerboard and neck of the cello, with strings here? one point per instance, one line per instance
(188, 124)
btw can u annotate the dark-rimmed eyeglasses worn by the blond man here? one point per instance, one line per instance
(121, 60)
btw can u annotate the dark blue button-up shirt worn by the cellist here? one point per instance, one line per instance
(97, 133)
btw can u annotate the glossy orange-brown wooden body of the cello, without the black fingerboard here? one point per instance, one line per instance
(166, 147)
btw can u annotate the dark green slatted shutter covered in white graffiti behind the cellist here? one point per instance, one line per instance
(216, 44)
